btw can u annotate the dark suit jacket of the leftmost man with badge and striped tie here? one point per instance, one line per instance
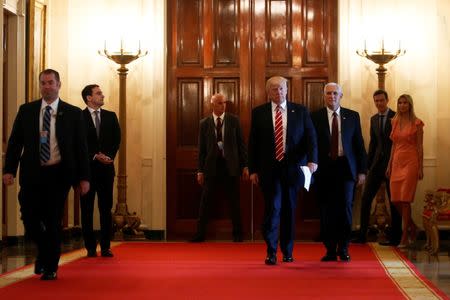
(23, 144)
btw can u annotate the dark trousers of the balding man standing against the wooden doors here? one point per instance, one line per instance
(231, 187)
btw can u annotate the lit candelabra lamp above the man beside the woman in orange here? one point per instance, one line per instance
(381, 57)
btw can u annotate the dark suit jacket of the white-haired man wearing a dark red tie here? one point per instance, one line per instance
(352, 140)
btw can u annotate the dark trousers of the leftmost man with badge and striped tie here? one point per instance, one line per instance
(42, 207)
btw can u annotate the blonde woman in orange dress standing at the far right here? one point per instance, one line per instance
(405, 166)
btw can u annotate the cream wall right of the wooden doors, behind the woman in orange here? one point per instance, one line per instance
(422, 26)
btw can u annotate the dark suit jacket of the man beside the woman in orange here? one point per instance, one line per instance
(380, 145)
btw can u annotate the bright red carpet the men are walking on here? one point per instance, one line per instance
(216, 271)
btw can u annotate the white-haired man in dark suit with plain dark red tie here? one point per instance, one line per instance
(342, 163)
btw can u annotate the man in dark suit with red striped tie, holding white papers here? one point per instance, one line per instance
(282, 139)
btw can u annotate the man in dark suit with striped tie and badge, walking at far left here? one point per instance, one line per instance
(48, 140)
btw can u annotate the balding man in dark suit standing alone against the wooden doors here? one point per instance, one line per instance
(222, 157)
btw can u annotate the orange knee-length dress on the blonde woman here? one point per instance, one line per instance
(405, 161)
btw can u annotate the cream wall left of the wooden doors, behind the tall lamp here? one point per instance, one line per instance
(74, 41)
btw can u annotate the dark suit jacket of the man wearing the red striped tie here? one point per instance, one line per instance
(301, 142)
